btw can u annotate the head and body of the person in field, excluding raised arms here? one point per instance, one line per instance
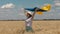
(29, 21)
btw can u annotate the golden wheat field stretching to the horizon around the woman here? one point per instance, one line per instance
(39, 27)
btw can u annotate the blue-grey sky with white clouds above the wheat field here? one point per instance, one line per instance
(12, 9)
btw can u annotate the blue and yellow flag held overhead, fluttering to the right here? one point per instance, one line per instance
(40, 10)
